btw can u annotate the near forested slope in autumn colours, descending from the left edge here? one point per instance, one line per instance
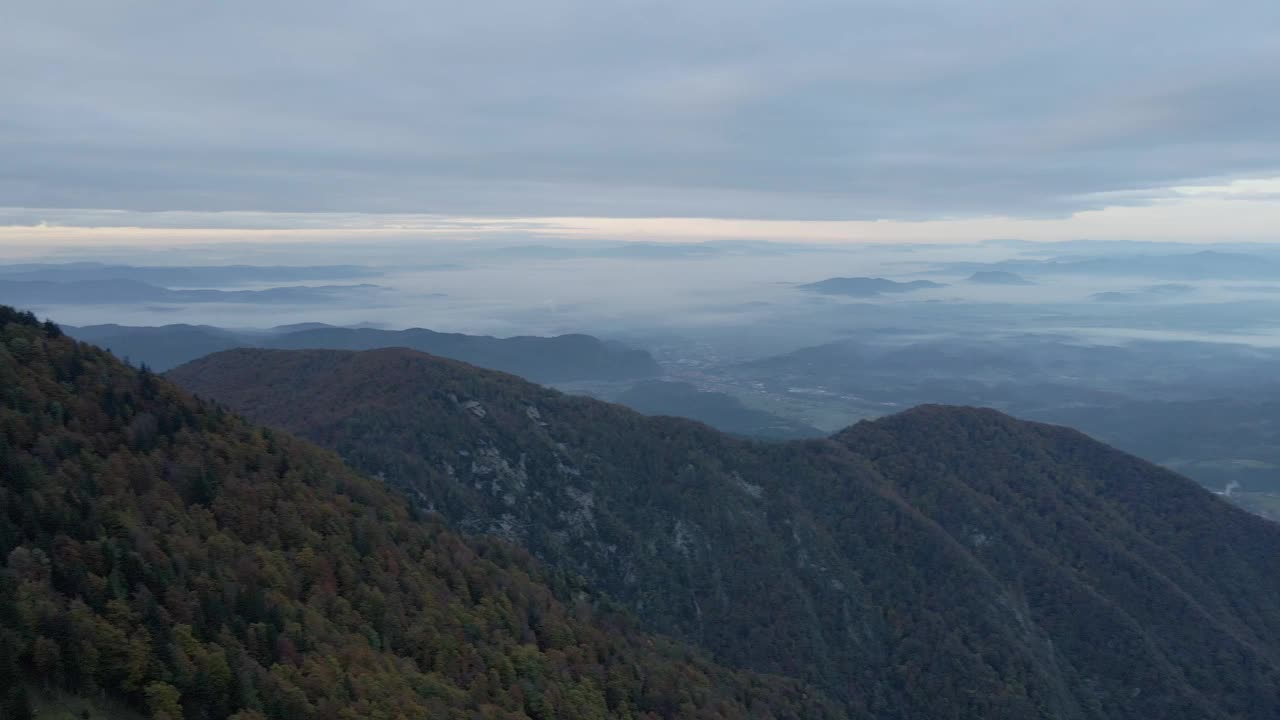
(166, 554)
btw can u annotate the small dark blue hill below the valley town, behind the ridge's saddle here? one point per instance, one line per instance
(719, 411)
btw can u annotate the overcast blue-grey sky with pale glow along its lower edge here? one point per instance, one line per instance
(149, 124)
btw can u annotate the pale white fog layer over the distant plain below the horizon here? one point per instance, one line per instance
(629, 291)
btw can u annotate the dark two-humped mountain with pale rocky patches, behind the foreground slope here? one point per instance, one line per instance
(944, 563)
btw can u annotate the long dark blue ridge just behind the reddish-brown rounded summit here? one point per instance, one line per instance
(546, 359)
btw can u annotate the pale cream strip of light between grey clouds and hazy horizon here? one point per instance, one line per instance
(1245, 211)
